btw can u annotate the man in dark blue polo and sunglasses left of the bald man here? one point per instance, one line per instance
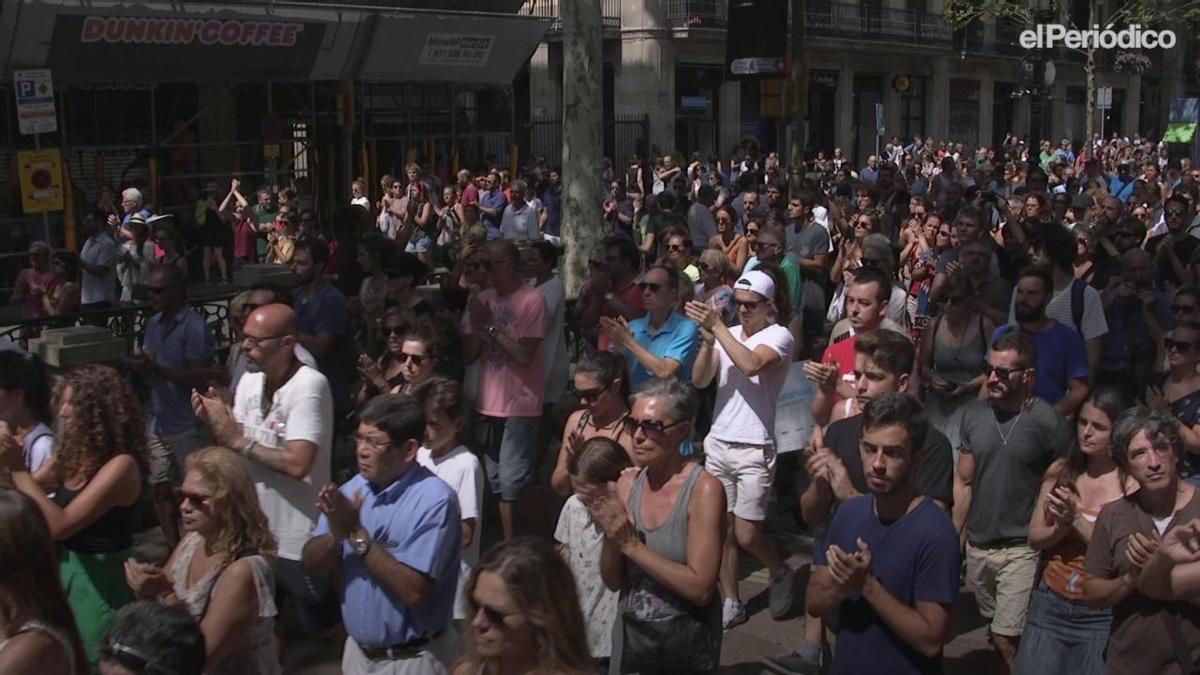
(177, 356)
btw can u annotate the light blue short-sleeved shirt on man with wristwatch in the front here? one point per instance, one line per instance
(417, 522)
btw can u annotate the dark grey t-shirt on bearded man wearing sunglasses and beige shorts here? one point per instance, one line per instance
(1007, 476)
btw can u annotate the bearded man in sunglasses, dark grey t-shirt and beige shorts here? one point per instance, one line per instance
(1007, 443)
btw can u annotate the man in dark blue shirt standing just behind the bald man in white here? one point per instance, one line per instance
(325, 320)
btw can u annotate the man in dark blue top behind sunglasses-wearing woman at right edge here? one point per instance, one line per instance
(1137, 314)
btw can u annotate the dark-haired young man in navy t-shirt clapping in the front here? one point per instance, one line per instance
(895, 608)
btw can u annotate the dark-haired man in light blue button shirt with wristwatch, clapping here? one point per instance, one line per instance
(393, 535)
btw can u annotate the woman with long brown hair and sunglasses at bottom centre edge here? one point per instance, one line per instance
(525, 614)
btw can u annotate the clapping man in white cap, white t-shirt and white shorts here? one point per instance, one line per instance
(752, 362)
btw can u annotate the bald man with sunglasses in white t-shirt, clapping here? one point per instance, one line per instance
(283, 422)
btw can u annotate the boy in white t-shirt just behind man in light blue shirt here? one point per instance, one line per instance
(457, 467)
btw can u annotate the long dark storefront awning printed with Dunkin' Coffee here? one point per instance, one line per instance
(89, 41)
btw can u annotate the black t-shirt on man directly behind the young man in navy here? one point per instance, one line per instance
(934, 476)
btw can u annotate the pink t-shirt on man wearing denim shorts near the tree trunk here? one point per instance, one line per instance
(507, 390)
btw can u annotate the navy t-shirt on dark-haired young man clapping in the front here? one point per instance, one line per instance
(916, 559)
